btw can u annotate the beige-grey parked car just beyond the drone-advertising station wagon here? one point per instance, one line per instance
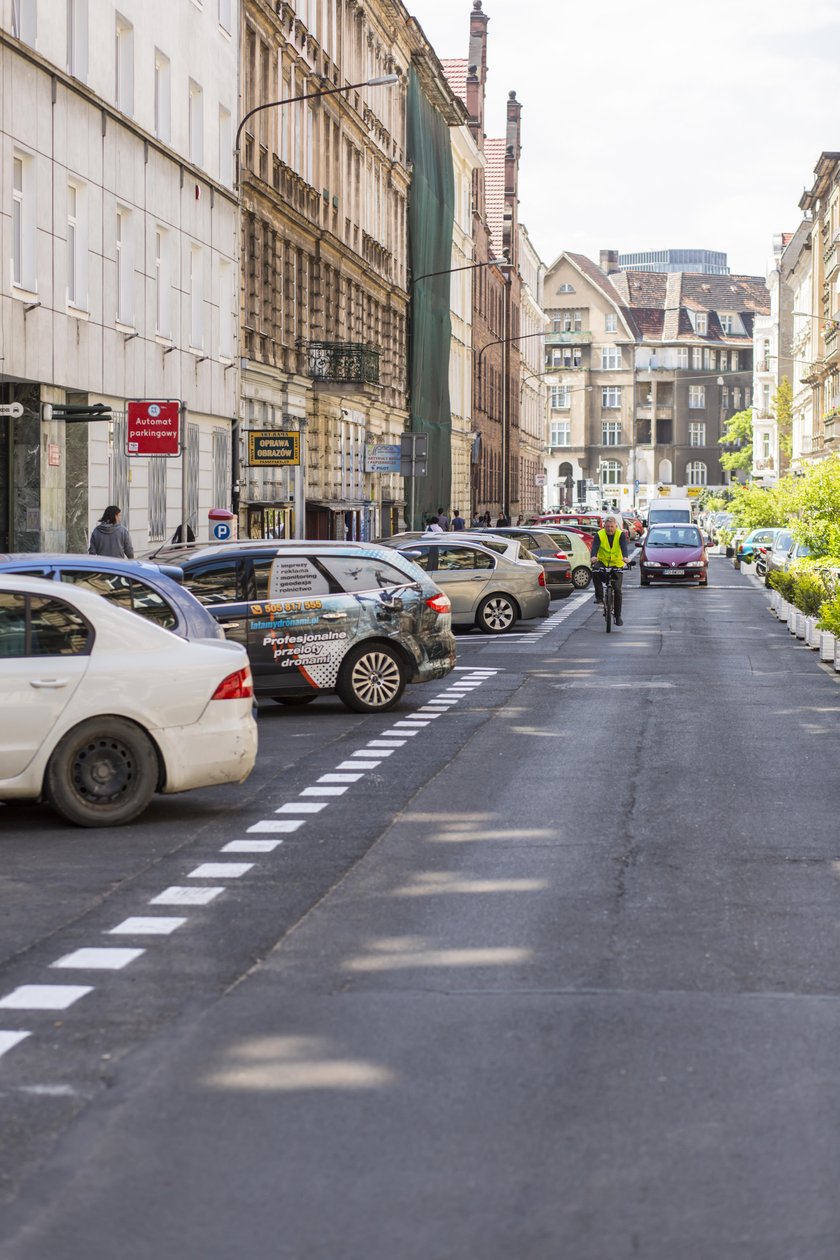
(485, 589)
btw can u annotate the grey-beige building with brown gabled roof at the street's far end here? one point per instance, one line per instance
(645, 371)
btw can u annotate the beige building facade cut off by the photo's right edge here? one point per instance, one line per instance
(822, 205)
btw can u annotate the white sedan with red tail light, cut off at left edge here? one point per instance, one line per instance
(100, 709)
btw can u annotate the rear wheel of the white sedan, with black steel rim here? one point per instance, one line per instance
(103, 774)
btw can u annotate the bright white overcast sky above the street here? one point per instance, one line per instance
(662, 124)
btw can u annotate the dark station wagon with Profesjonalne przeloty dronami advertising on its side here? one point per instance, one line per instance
(321, 617)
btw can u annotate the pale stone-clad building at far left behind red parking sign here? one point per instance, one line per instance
(119, 282)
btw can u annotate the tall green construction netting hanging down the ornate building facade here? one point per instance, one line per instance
(431, 219)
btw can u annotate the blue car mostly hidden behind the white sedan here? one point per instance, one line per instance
(153, 592)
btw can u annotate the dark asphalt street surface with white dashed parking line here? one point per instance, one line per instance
(553, 975)
